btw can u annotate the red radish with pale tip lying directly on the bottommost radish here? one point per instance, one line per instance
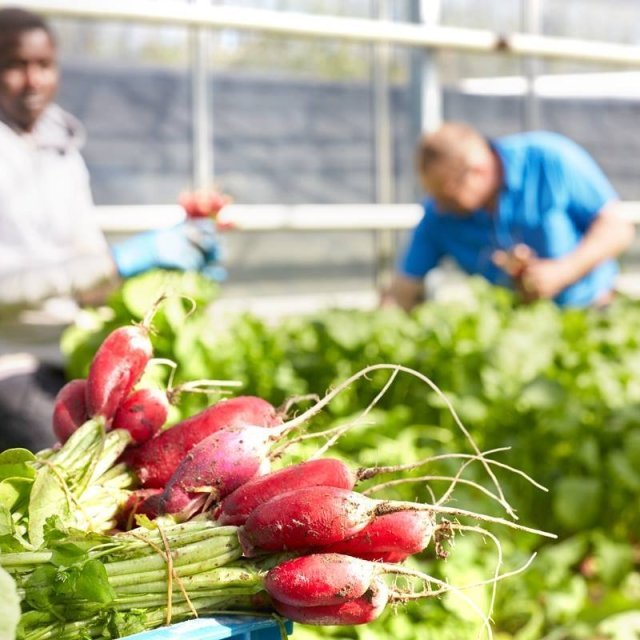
(320, 579)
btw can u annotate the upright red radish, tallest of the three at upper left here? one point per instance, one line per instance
(115, 369)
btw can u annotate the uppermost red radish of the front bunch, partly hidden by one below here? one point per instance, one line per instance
(237, 506)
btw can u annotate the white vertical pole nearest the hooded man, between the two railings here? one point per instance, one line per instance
(202, 142)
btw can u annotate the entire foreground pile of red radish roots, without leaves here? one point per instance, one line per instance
(338, 544)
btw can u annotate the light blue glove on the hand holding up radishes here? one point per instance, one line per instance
(185, 247)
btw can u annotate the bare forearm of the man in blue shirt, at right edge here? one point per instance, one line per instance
(608, 236)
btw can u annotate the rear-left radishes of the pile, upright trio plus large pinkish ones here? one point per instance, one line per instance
(159, 459)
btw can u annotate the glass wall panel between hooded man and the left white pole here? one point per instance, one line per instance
(130, 86)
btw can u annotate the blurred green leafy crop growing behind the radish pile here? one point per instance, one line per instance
(560, 388)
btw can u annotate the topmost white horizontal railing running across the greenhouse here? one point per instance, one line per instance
(289, 23)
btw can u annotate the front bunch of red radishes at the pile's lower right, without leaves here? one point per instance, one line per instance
(346, 541)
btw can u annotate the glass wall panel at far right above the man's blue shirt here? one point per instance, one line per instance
(596, 105)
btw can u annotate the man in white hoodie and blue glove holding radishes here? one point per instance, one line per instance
(52, 250)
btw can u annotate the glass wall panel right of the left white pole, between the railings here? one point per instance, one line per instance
(292, 120)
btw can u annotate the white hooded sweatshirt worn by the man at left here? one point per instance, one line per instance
(51, 246)
